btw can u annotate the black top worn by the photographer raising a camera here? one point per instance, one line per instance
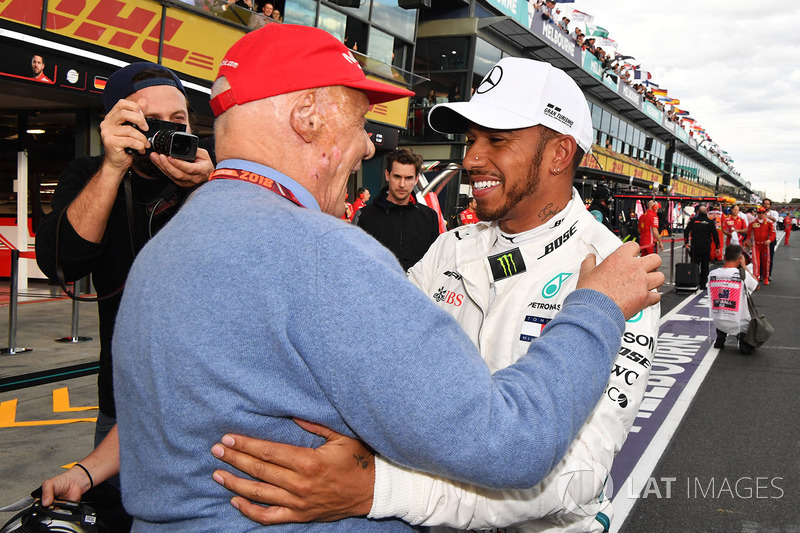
(108, 261)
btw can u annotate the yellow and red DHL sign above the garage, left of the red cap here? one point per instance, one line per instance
(192, 44)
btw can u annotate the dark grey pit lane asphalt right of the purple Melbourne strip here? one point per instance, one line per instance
(742, 427)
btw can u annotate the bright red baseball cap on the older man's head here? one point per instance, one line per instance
(282, 58)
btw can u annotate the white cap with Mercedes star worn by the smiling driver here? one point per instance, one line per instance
(520, 93)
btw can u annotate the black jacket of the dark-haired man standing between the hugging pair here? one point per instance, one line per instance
(407, 230)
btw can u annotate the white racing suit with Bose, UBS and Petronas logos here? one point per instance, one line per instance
(526, 286)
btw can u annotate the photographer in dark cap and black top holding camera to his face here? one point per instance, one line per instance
(105, 208)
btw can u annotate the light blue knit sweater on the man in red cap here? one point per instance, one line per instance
(239, 315)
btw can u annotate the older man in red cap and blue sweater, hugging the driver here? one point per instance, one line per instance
(199, 356)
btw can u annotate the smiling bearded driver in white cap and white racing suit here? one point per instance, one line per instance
(528, 126)
